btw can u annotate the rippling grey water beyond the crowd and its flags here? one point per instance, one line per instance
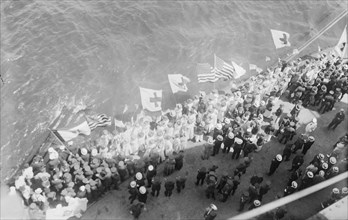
(97, 53)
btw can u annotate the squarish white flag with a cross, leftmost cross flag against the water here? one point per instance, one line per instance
(151, 99)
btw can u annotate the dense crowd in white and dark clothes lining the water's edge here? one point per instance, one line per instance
(238, 122)
